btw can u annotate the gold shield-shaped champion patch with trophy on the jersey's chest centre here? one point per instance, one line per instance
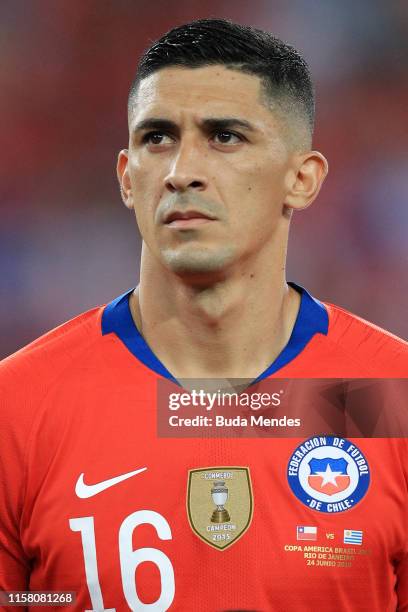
(219, 504)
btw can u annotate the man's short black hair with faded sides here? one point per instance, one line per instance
(284, 73)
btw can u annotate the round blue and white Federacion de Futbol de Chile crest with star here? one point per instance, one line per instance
(328, 474)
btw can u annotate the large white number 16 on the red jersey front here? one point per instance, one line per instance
(129, 560)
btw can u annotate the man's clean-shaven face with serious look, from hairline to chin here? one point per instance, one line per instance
(207, 170)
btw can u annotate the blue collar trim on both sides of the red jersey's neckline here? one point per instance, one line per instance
(312, 319)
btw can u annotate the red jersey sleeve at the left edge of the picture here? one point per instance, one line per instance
(14, 428)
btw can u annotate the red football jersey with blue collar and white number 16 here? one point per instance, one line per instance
(92, 500)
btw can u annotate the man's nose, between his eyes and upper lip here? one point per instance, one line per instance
(187, 171)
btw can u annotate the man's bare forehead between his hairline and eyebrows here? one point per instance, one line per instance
(201, 91)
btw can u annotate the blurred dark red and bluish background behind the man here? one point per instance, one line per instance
(66, 241)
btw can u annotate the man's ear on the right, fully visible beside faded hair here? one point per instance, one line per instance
(311, 170)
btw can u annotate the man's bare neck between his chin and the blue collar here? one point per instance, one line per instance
(233, 327)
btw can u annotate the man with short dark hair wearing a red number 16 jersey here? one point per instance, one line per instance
(93, 499)
